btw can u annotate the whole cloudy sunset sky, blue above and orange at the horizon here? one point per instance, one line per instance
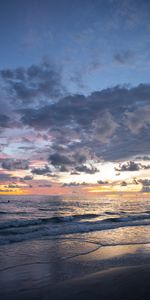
(74, 96)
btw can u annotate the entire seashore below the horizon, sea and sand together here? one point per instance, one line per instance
(59, 249)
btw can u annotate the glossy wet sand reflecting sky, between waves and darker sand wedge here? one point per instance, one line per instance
(42, 264)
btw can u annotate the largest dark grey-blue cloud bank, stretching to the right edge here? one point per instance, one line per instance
(113, 123)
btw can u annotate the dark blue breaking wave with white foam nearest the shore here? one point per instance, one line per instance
(20, 230)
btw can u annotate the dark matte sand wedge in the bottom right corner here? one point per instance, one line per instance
(117, 283)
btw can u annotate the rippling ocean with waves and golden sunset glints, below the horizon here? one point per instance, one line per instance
(118, 220)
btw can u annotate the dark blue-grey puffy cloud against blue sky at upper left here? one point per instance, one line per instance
(33, 83)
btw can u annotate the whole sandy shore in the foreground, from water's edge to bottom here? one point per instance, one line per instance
(74, 269)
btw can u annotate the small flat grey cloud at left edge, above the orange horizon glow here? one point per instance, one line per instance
(15, 164)
